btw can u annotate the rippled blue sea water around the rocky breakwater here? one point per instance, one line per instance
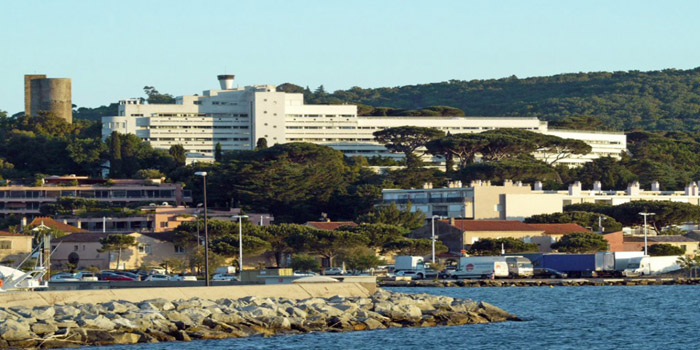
(635, 317)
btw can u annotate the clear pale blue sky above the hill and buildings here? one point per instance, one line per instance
(111, 49)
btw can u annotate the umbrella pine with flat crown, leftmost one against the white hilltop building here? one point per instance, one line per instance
(407, 139)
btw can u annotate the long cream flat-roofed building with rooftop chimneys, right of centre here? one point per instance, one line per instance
(516, 201)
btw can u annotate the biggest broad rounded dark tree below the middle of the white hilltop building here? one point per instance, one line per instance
(287, 181)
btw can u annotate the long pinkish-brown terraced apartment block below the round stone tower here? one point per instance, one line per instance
(27, 200)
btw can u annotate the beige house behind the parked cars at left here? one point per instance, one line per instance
(151, 250)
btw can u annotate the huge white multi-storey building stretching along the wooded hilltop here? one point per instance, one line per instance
(237, 117)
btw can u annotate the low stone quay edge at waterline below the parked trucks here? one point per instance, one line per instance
(578, 282)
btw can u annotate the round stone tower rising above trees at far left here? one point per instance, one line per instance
(52, 95)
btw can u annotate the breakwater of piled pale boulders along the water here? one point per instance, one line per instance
(159, 320)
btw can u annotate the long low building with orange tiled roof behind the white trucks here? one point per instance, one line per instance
(460, 234)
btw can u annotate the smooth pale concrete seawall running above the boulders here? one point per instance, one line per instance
(134, 295)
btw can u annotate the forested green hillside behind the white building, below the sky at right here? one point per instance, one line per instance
(656, 100)
